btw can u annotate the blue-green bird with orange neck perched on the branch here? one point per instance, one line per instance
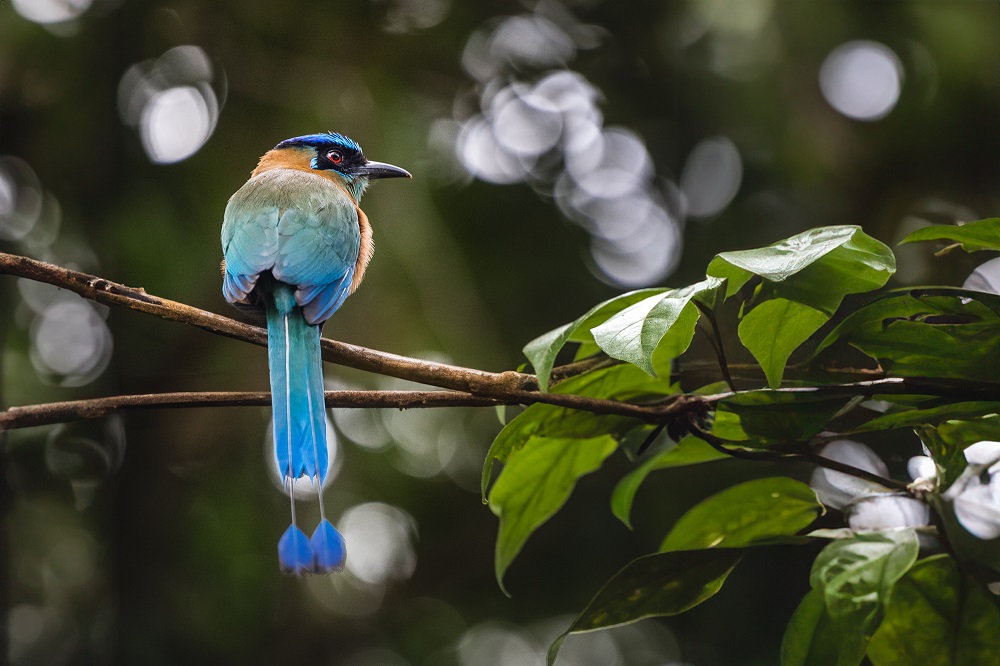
(295, 244)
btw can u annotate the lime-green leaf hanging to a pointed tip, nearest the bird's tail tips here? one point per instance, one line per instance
(535, 483)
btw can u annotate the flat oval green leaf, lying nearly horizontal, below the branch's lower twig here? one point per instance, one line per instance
(745, 513)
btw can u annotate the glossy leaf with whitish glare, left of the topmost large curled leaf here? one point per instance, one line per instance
(633, 334)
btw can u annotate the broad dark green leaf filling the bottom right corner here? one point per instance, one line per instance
(937, 617)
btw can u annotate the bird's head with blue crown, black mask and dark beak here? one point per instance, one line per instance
(333, 155)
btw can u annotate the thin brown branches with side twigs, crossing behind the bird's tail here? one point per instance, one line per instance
(469, 387)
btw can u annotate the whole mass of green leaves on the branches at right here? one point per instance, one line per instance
(864, 583)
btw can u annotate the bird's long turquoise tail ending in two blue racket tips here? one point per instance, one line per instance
(299, 416)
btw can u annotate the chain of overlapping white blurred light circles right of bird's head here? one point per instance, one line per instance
(538, 122)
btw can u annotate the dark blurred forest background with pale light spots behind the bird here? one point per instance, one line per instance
(563, 151)
